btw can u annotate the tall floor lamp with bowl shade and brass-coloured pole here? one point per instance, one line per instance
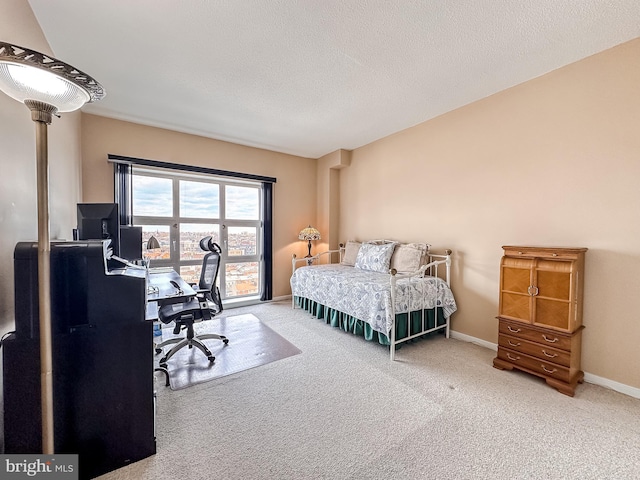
(46, 86)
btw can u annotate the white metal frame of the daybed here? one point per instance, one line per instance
(430, 268)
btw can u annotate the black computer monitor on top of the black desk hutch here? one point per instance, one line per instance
(99, 221)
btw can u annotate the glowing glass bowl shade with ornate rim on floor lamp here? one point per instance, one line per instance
(26, 75)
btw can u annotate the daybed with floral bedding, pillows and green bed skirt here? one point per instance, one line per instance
(385, 291)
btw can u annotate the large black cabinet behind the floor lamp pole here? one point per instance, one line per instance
(102, 361)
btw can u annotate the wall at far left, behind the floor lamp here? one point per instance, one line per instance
(18, 214)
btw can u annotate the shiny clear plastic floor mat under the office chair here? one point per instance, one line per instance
(251, 344)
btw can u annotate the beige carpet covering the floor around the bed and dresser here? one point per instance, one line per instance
(342, 410)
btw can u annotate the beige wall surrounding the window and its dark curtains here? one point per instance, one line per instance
(294, 193)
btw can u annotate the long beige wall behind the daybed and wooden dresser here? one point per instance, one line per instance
(554, 161)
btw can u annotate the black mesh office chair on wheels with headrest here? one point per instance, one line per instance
(204, 306)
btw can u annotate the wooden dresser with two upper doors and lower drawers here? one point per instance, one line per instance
(540, 319)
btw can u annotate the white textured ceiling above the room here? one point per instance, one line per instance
(309, 77)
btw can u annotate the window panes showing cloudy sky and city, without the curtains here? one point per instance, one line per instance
(179, 213)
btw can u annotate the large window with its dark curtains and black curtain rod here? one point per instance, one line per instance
(237, 212)
